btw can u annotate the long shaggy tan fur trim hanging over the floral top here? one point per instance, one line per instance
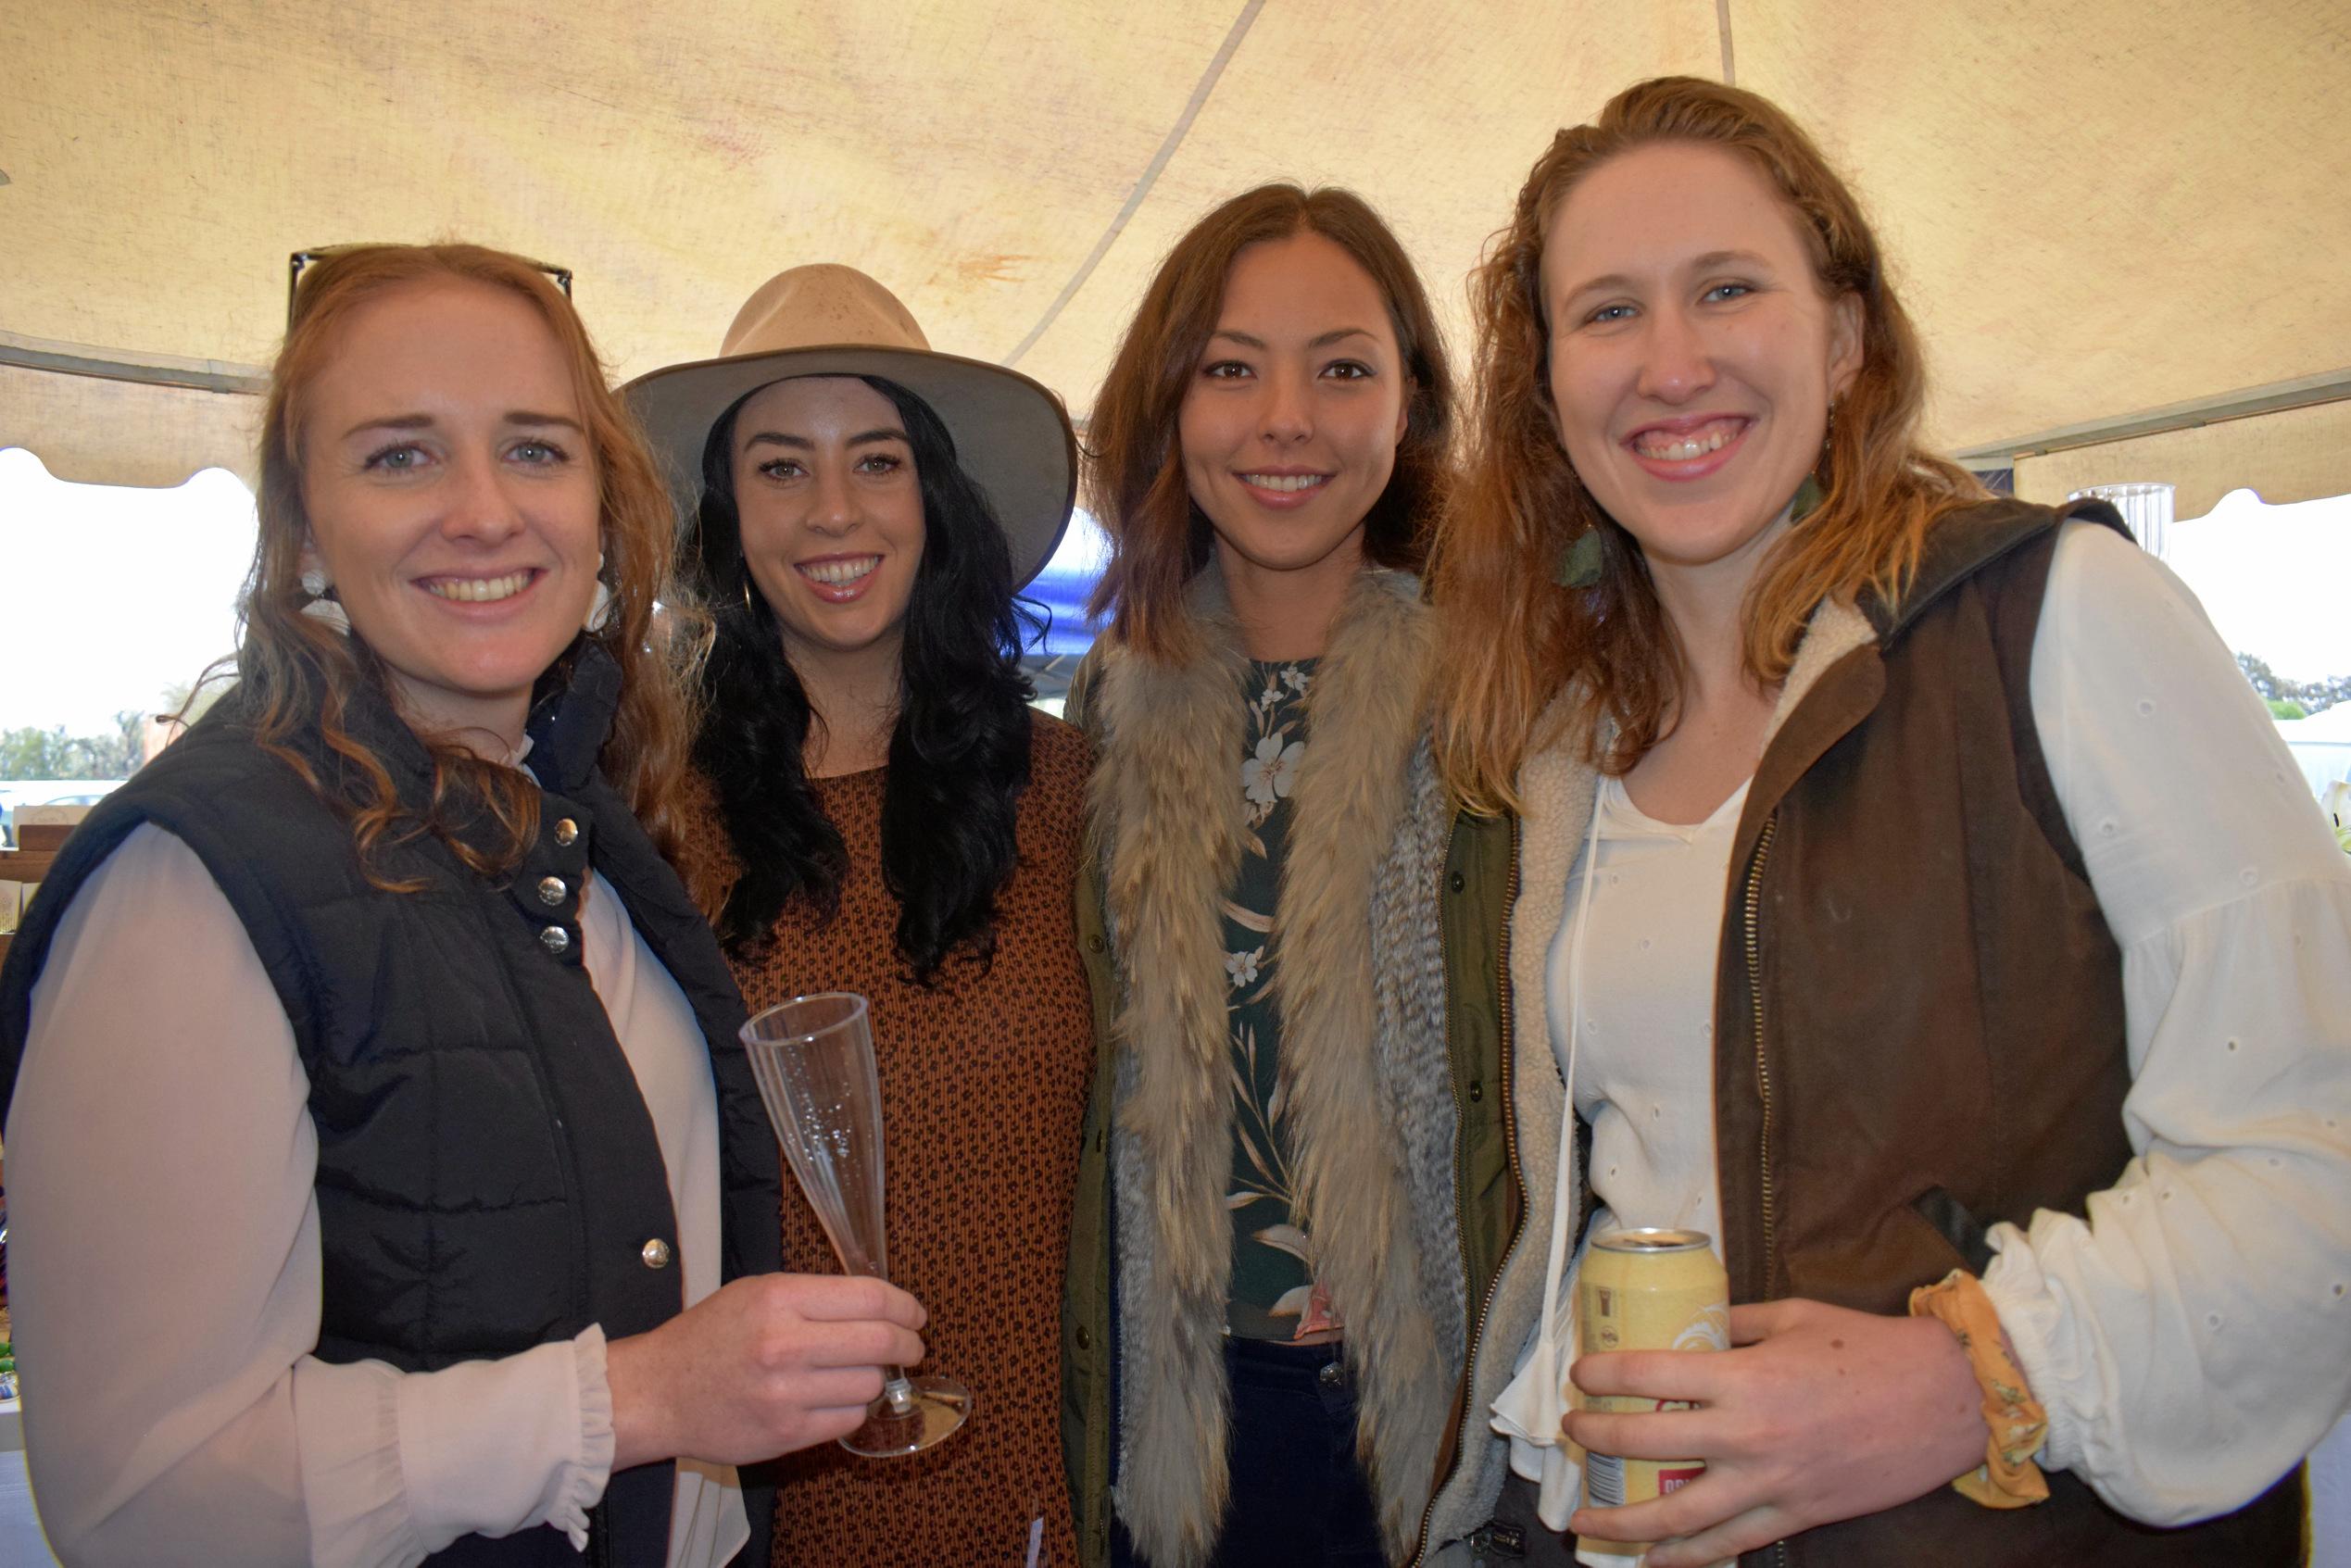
(1170, 815)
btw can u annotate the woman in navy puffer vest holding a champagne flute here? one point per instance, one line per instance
(377, 1132)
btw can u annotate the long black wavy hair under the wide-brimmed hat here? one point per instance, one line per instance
(958, 756)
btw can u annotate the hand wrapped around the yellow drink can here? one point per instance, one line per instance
(1816, 1414)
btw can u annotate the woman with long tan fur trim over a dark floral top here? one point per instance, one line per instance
(1290, 1285)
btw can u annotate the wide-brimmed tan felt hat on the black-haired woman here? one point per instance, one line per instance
(1012, 436)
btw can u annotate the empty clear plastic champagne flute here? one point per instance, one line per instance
(815, 1059)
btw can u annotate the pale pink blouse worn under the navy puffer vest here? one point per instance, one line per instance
(166, 1275)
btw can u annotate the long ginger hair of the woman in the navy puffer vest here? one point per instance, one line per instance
(297, 671)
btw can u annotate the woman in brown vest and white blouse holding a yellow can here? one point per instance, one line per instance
(1913, 894)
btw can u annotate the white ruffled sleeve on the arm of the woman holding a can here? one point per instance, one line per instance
(2192, 1334)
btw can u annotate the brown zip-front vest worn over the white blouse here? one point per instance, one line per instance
(1920, 1019)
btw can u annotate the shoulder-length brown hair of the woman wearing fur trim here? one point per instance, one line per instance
(1134, 462)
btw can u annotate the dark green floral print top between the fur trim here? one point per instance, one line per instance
(1273, 1259)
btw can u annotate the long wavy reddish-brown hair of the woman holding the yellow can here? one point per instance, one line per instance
(1513, 638)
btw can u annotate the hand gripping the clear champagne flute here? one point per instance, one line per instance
(761, 1367)
